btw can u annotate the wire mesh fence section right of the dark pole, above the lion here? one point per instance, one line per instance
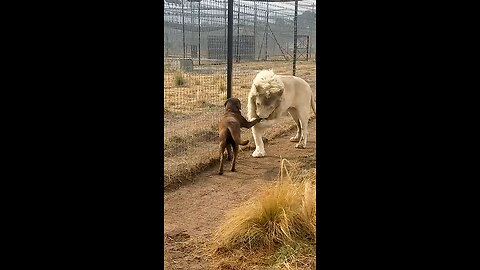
(266, 29)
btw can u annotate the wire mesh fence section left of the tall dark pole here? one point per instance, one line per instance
(194, 81)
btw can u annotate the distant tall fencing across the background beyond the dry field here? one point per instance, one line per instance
(198, 30)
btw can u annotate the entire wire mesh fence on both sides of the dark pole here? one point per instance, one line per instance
(195, 64)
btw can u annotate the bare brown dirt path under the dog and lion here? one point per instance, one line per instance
(195, 209)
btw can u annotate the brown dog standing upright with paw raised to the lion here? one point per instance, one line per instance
(229, 130)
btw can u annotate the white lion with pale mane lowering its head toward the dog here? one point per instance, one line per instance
(272, 96)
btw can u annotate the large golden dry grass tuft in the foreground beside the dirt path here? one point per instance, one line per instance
(280, 223)
